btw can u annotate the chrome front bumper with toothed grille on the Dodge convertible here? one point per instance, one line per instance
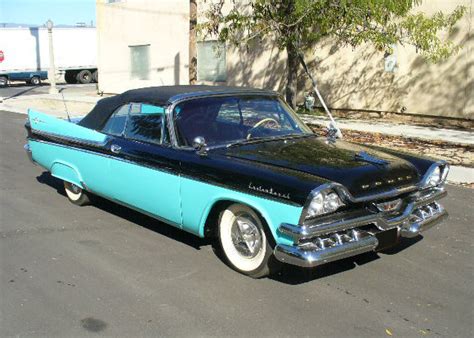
(335, 239)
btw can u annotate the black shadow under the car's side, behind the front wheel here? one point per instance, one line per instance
(131, 215)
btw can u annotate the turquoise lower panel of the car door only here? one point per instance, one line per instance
(151, 190)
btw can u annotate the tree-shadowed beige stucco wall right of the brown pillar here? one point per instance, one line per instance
(357, 80)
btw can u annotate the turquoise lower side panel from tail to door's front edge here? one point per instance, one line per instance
(149, 190)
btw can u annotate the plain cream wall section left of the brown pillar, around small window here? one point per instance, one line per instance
(161, 23)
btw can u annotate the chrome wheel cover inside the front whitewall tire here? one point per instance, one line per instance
(246, 236)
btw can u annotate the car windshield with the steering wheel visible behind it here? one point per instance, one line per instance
(227, 120)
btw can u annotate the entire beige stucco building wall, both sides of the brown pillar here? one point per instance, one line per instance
(349, 79)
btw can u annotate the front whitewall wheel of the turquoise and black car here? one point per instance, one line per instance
(244, 242)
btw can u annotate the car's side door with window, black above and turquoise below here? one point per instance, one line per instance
(143, 169)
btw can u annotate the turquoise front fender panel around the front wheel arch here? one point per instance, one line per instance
(197, 199)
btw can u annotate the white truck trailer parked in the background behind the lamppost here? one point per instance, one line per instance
(24, 54)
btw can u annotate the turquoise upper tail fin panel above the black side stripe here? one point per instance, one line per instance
(49, 124)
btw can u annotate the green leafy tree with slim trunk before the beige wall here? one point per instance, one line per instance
(297, 26)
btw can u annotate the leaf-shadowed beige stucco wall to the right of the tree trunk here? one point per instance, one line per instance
(357, 79)
